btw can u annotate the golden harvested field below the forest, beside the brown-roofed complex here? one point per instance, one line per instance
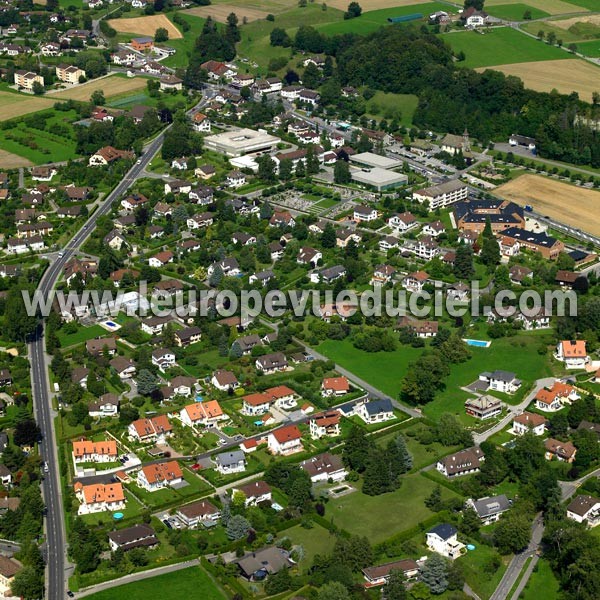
(566, 203)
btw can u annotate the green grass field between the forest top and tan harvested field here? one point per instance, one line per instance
(500, 46)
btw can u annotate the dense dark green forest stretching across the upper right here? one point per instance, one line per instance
(491, 105)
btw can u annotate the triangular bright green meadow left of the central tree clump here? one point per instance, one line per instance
(384, 370)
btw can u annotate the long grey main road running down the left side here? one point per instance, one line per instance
(55, 527)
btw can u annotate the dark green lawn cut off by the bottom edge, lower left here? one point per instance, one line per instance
(187, 583)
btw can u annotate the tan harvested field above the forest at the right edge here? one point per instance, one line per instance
(566, 76)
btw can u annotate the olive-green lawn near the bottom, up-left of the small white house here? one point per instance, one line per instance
(362, 515)
